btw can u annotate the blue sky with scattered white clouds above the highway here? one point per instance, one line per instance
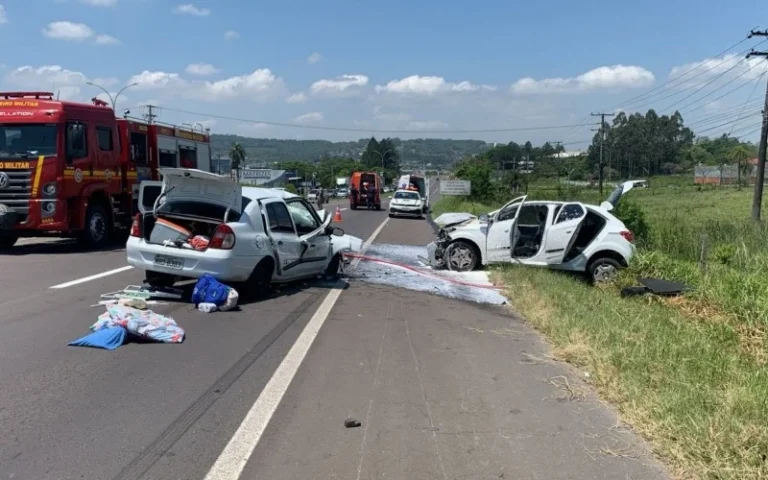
(423, 69)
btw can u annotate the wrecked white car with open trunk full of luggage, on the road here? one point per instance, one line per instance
(195, 222)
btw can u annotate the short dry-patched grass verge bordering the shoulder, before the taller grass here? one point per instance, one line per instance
(684, 379)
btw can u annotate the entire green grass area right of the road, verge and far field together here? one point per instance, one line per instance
(689, 373)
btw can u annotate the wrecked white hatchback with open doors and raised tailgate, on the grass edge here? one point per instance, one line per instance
(561, 235)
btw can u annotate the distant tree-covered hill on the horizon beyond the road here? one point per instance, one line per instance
(412, 152)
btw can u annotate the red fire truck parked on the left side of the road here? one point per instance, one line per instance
(73, 169)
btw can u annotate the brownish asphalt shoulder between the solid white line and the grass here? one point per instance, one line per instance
(443, 390)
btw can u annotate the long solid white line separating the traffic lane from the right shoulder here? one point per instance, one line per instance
(237, 452)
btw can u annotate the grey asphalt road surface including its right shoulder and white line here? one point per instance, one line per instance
(443, 389)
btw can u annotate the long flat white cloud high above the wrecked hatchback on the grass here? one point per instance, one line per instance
(616, 76)
